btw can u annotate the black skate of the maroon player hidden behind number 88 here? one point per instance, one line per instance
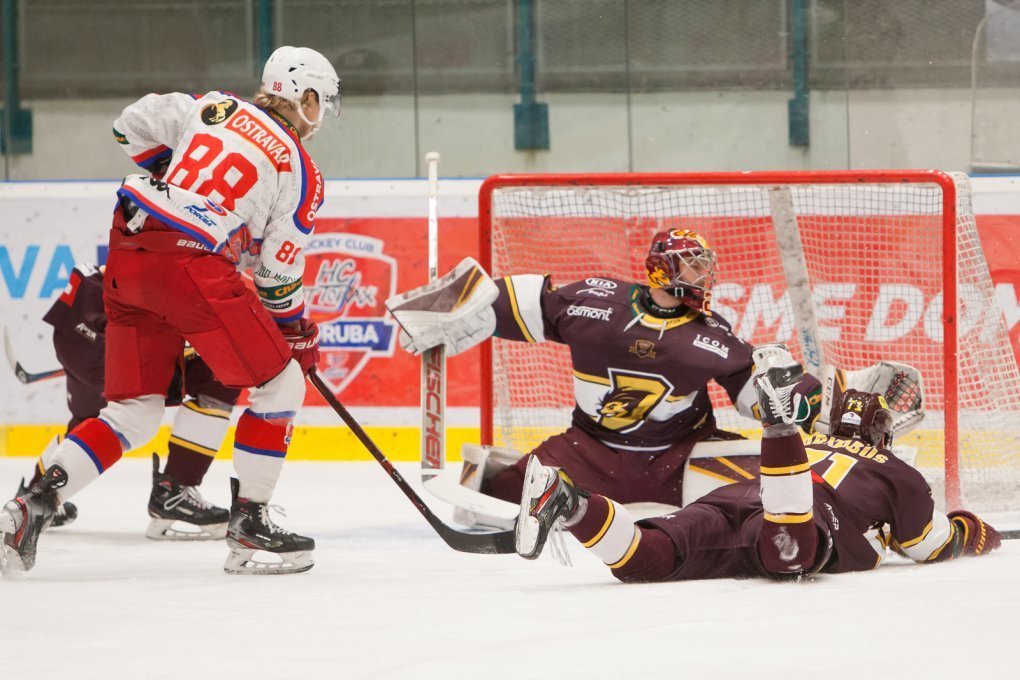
(180, 513)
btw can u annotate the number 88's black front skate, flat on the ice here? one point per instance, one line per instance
(252, 532)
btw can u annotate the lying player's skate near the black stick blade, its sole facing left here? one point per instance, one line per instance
(549, 497)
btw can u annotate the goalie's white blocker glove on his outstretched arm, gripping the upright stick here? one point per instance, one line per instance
(455, 310)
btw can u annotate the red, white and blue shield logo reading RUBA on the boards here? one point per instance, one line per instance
(347, 281)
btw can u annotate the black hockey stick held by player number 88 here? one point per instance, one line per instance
(501, 543)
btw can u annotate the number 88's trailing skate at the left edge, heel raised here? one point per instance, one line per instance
(24, 518)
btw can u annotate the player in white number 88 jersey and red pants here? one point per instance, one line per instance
(239, 192)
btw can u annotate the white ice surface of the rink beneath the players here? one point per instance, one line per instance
(387, 599)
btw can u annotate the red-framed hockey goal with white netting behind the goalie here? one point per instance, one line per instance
(893, 260)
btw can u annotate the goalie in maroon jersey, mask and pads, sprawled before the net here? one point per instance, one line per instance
(643, 355)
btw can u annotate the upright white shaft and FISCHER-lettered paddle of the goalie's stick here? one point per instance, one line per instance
(434, 360)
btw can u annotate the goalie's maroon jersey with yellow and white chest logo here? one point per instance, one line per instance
(640, 381)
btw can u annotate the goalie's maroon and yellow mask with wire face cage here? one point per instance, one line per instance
(682, 264)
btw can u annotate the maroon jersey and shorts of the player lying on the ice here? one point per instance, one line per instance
(863, 498)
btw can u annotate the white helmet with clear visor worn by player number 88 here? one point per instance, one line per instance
(292, 71)
